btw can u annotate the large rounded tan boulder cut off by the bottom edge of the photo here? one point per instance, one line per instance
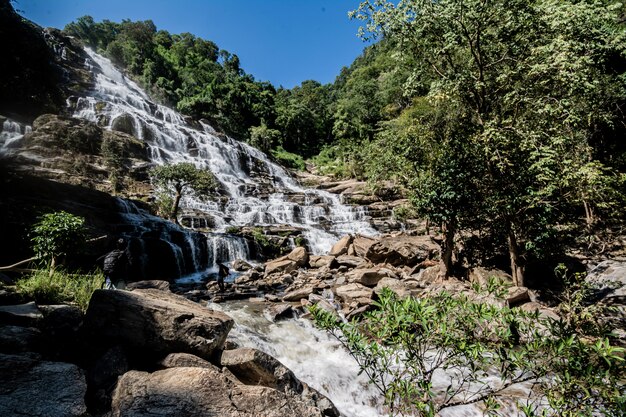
(202, 392)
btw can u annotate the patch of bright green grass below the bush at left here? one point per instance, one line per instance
(60, 287)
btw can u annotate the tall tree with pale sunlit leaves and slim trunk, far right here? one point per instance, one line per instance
(532, 82)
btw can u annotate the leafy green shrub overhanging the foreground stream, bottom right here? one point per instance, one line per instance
(405, 345)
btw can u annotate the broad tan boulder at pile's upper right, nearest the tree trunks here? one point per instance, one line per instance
(402, 250)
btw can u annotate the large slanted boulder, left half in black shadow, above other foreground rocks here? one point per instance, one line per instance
(152, 323)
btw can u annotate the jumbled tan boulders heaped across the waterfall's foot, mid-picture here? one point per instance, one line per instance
(353, 273)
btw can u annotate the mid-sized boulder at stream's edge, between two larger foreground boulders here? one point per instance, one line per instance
(254, 367)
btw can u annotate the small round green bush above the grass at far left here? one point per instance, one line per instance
(57, 234)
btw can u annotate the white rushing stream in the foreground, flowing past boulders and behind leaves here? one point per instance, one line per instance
(318, 359)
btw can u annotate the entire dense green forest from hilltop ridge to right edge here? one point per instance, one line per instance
(502, 121)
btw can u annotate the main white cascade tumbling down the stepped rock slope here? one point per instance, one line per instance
(258, 190)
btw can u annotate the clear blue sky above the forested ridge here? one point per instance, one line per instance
(281, 41)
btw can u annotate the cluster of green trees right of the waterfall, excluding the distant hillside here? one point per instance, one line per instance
(509, 101)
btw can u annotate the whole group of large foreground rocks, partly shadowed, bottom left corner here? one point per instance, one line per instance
(141, 353)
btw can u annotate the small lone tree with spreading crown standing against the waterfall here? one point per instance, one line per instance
(182, 179)
